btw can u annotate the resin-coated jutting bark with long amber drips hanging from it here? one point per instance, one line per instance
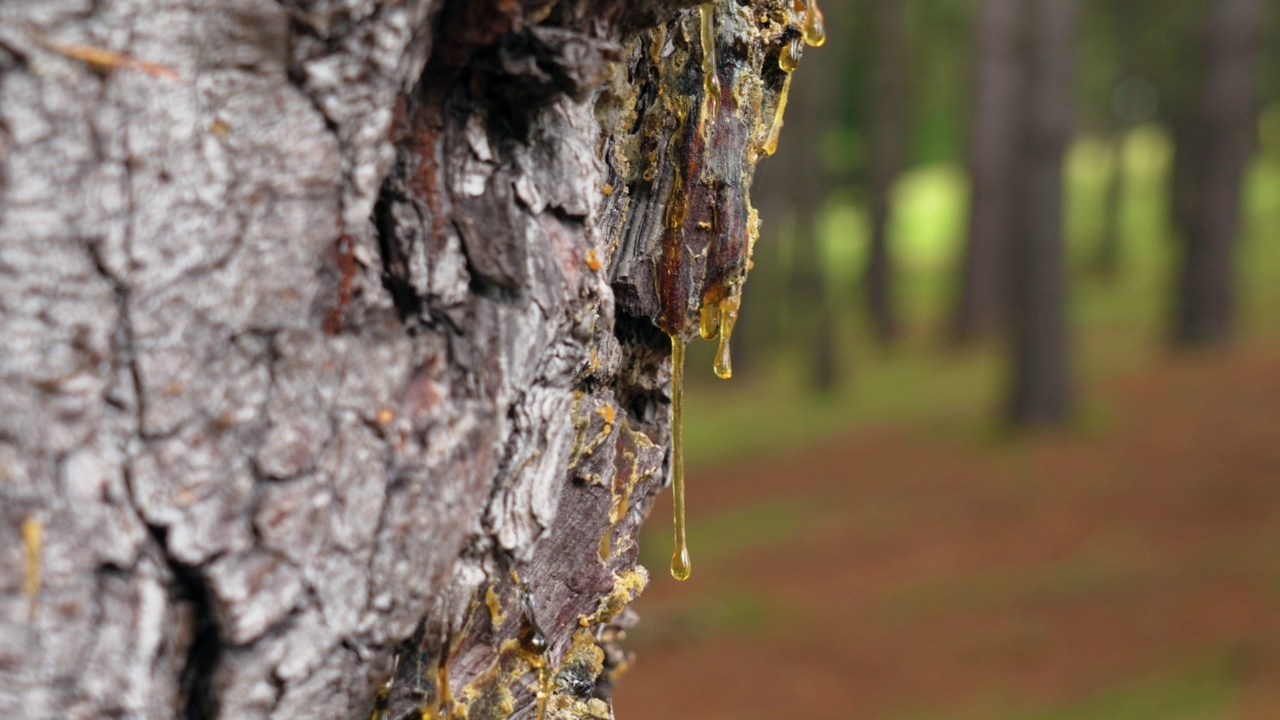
(700, 140)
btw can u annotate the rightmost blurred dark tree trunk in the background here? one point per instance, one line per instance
(1218, 149)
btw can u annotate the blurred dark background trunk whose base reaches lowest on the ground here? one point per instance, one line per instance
(1041, 393)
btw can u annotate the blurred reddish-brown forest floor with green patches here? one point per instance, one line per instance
(902, 573)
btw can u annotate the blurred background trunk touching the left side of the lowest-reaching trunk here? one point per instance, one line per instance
(999, 89)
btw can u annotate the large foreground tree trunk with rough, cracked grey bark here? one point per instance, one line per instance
(330, 341)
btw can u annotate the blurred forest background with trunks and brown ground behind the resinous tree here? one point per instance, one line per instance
(1004, 435)
